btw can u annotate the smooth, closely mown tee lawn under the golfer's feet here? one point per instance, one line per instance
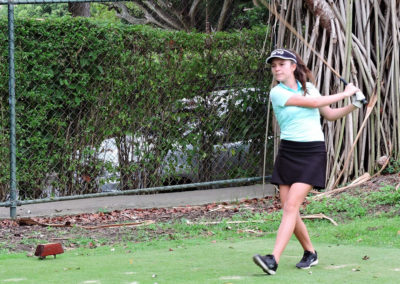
(203, 261)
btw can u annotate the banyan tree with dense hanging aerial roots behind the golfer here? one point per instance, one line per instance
(360, 40)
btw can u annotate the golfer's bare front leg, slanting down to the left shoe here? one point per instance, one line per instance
(291, 216)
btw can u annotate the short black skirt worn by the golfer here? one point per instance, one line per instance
(303, 162)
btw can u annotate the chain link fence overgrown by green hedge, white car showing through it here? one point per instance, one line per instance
(111, 107)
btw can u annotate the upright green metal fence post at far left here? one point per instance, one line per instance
(13, 183)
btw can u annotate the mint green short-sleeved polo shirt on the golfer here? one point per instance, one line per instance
(301, 124)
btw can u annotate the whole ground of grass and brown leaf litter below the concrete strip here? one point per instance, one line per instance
(164, 245)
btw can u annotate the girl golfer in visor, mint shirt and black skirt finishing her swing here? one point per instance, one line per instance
(301, 161)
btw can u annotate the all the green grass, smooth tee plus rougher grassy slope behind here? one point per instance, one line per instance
(363, 248)
